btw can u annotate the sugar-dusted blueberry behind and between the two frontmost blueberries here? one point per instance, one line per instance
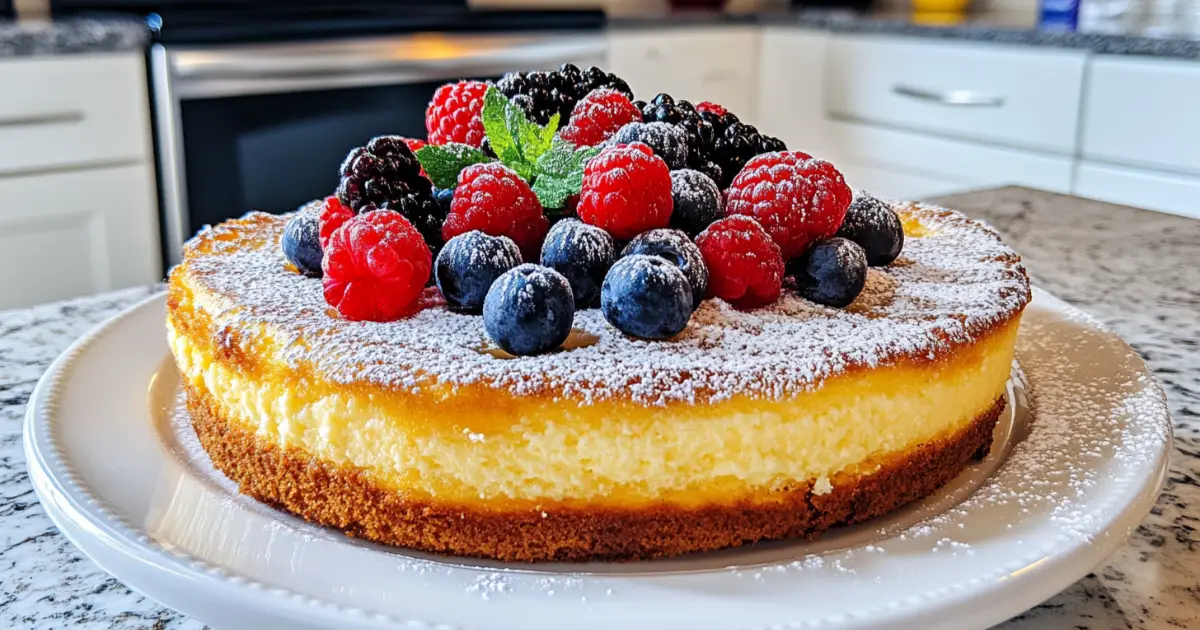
(583, 254)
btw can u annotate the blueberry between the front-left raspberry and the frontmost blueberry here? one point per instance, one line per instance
(469, 265)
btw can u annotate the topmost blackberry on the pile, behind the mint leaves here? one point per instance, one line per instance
(544, 94)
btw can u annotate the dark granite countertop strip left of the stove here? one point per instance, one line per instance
(71, 37)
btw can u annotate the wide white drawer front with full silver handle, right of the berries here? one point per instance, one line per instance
(999, 94)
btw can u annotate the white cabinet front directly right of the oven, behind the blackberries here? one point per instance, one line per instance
(703, 64)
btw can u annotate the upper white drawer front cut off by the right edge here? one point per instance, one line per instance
(1144, 113)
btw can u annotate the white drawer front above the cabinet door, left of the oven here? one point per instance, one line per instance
(73, 111)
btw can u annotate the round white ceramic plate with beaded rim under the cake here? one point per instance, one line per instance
(1078, 461)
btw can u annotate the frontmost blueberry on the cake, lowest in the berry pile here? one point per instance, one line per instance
(530, 310)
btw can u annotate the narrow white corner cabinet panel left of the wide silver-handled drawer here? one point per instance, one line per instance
(791, 81)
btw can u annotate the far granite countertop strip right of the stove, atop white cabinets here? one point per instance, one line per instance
(1151, 35)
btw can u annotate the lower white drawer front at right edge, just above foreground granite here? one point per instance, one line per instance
(1142, 189)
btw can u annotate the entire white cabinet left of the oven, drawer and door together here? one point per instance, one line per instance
(79, 211)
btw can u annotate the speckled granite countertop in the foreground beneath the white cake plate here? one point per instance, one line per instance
(1133, 269)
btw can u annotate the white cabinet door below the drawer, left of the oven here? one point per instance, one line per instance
(69, 235)
